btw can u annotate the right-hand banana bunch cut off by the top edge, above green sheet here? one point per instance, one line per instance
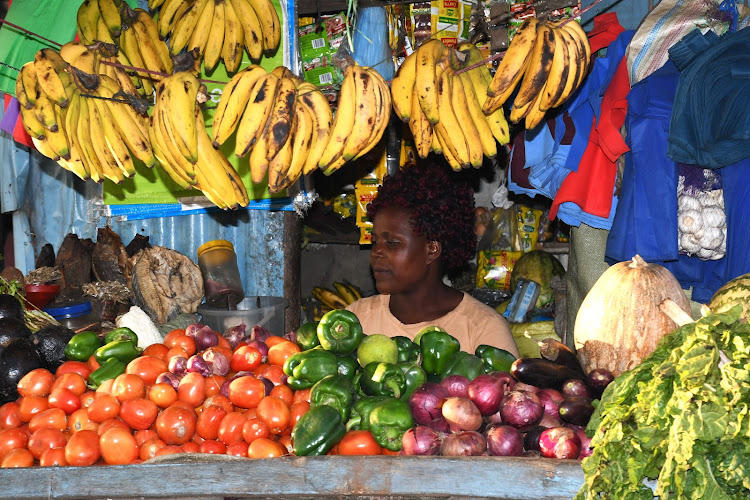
(219, 29)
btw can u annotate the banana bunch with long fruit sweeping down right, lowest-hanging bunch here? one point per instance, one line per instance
(183, 147)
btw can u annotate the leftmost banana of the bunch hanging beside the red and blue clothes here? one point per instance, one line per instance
(512, 67)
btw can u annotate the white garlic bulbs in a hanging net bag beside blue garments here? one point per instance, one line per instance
(701, 223)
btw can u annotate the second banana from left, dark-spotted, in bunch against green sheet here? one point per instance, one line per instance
(254, 118)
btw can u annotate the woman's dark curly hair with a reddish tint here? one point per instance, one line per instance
(441, 205)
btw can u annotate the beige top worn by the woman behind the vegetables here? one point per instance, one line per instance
(471, 322)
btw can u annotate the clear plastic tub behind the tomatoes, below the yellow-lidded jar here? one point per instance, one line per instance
(267, 312)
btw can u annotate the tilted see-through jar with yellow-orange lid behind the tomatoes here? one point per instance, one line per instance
(221, 276)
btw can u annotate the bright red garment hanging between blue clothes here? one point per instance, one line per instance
(591, 187)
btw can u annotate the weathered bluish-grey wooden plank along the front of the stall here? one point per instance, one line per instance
(303, 477)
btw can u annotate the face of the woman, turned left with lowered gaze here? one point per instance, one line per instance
(399, 256)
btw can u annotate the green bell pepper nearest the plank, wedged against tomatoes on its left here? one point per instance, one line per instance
(317, 431)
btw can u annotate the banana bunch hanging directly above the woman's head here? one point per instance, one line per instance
(442, 103)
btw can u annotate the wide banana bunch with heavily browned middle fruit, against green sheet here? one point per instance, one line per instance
(281, 122)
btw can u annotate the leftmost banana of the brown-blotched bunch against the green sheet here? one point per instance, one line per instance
(233, 100)
